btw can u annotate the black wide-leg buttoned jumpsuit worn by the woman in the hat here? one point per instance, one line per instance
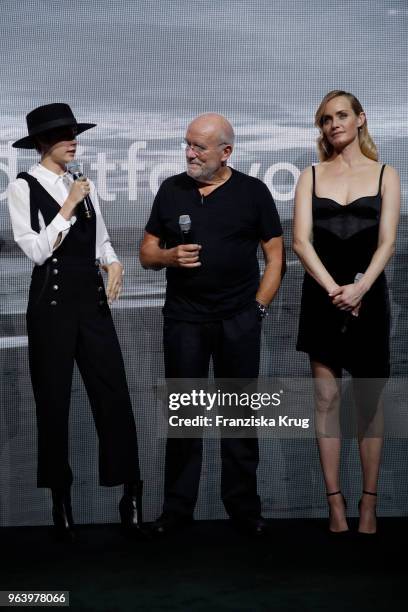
(68, 319)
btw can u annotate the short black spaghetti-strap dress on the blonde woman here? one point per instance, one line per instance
(345, 239)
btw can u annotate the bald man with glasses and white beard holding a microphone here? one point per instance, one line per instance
(215, 303)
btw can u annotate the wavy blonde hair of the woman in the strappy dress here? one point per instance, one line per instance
(324, 148)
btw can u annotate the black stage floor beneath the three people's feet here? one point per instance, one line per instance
(209, 566)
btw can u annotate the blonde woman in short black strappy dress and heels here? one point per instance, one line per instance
(346, 215)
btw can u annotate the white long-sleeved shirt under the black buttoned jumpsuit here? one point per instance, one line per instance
(40, 246)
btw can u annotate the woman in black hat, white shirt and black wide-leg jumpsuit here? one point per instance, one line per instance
(68, 316)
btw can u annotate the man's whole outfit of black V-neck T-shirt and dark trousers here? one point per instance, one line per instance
(210, 312)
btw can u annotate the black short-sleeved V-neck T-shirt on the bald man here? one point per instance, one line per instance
(228, 224)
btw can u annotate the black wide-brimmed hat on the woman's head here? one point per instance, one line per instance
(46, 118)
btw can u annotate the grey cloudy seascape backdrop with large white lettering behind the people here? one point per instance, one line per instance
(142, 71)
